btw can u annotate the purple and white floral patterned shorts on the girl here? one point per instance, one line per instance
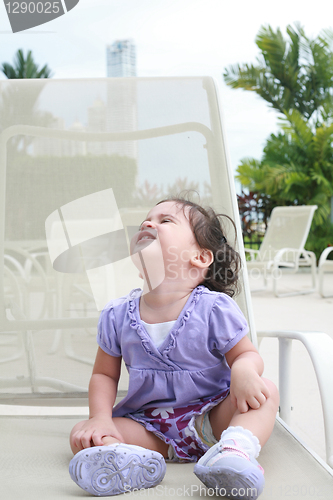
(176, 426)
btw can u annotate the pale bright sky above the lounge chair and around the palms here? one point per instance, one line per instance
(173, 38)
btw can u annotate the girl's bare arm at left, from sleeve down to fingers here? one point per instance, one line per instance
(102, 395)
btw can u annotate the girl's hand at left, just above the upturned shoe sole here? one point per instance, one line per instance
(93, 430)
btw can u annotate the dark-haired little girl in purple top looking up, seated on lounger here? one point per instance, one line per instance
(195, 386)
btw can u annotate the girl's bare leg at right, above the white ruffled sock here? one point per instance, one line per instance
(260, 422)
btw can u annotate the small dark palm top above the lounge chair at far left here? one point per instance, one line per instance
(25, 67)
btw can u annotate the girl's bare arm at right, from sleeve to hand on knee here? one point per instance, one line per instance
(247, 388)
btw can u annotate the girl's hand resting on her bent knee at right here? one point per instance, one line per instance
(247, 388)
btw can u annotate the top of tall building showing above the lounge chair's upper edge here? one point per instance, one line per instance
(121, 59)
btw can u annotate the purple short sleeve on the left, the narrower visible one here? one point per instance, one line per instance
(107, 337)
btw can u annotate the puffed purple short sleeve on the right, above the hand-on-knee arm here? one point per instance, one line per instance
(227, 324)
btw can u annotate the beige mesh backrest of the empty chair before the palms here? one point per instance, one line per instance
(288, 227)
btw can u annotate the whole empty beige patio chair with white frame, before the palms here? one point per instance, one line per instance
(282, 249)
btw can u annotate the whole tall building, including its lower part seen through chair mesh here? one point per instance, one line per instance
(121, 106)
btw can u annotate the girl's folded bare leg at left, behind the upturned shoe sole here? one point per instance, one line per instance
(133, 433)
